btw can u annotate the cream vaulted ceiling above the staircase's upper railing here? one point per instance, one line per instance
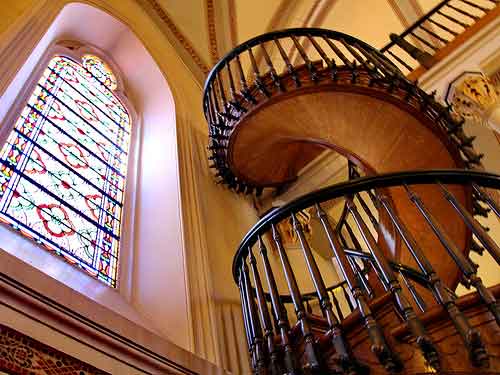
(205, 30)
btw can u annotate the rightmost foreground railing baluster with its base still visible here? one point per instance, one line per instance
(442, 294)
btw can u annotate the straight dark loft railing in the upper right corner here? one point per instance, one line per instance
(420, 42)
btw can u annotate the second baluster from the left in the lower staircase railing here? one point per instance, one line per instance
(264, 315)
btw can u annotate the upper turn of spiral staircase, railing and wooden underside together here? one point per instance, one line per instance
(275, 102)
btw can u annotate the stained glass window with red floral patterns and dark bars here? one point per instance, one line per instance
(63, 167)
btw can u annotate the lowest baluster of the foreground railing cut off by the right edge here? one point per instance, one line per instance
(467, 268)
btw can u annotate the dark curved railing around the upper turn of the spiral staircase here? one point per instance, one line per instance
(262, 68)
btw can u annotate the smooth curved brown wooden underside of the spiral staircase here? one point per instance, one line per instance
(380, 132)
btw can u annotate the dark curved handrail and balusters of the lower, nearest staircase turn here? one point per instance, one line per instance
(271, 332)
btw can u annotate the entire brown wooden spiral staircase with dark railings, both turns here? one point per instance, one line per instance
(411, 211)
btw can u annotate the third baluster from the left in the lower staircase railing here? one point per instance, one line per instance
(280, 314)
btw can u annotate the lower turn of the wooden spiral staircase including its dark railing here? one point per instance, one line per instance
(384, 317)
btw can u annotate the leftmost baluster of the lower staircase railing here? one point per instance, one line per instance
(255, 327)
